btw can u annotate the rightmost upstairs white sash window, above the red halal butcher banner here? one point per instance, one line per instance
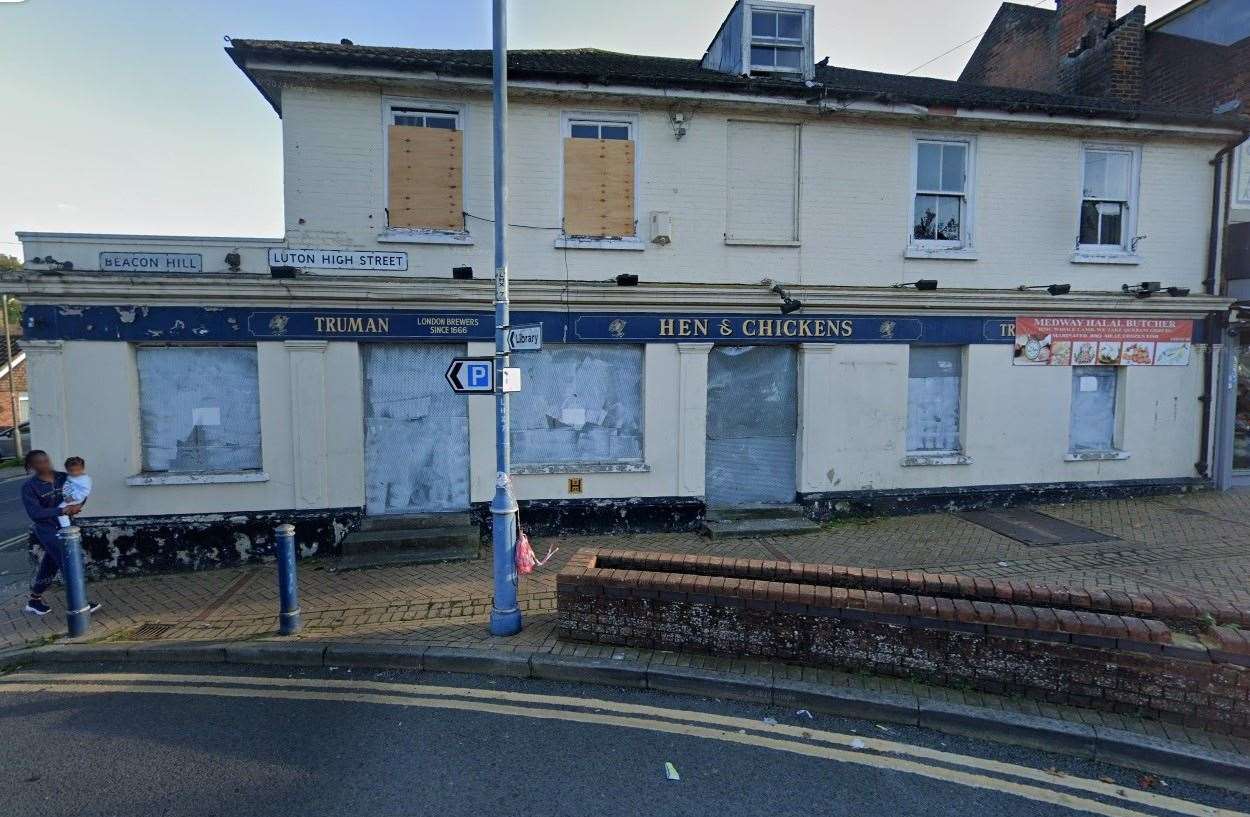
(1108, 199)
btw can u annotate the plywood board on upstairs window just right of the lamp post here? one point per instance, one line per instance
(599, 188)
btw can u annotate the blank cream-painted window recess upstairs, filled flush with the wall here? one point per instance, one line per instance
(763, 174)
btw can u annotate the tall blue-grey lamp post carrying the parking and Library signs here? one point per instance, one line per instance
(506, 618)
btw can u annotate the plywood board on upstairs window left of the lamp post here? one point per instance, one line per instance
(426, 178)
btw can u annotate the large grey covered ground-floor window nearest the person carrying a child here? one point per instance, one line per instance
(199, 409)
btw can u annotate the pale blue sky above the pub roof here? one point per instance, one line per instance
(127, 117)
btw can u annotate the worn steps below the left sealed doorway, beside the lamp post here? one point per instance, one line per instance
(411, 540)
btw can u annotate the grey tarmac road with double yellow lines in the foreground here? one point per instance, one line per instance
(186, 740)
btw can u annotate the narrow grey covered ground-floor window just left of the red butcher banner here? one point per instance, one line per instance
(934, 395)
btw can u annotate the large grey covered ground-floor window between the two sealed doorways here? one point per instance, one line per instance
(579, 403)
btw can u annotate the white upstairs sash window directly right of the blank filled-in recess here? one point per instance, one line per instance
(942, 201)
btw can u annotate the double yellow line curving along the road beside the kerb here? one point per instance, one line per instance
(1078, 794)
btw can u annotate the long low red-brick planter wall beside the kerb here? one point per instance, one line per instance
(1047, 644)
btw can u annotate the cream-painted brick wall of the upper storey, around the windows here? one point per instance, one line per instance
(854, 215)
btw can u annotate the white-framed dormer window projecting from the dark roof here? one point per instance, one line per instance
(761, 37)
